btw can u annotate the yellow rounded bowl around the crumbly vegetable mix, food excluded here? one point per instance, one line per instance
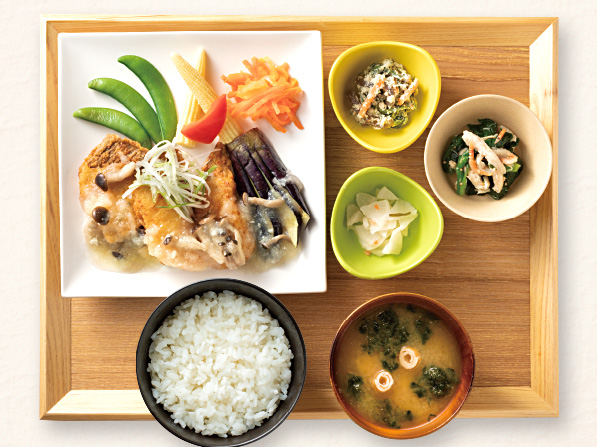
(416, 61)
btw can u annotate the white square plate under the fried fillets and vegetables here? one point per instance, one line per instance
(83, 57)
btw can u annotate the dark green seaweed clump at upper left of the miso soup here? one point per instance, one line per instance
(384, 335)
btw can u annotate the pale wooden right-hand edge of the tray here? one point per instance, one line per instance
(544, 226)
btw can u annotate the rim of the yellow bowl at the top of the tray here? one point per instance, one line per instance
(346, 53)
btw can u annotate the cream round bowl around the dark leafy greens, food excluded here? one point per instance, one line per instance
(534, 149)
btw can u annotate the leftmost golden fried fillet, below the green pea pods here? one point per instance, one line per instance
(114, 158)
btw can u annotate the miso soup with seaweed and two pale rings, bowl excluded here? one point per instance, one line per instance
(398, 366)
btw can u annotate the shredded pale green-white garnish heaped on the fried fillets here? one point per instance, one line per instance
(171, 173)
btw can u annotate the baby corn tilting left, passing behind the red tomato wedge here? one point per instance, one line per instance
(205, 96)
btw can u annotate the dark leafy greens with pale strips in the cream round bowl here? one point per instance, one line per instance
(483, 159)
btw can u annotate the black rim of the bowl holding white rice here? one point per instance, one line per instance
(181, 295)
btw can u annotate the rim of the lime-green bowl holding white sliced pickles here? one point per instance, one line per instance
(336, 249)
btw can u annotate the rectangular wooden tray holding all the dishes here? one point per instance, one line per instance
(505, 294)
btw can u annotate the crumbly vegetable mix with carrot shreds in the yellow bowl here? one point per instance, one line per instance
(384, 96)
